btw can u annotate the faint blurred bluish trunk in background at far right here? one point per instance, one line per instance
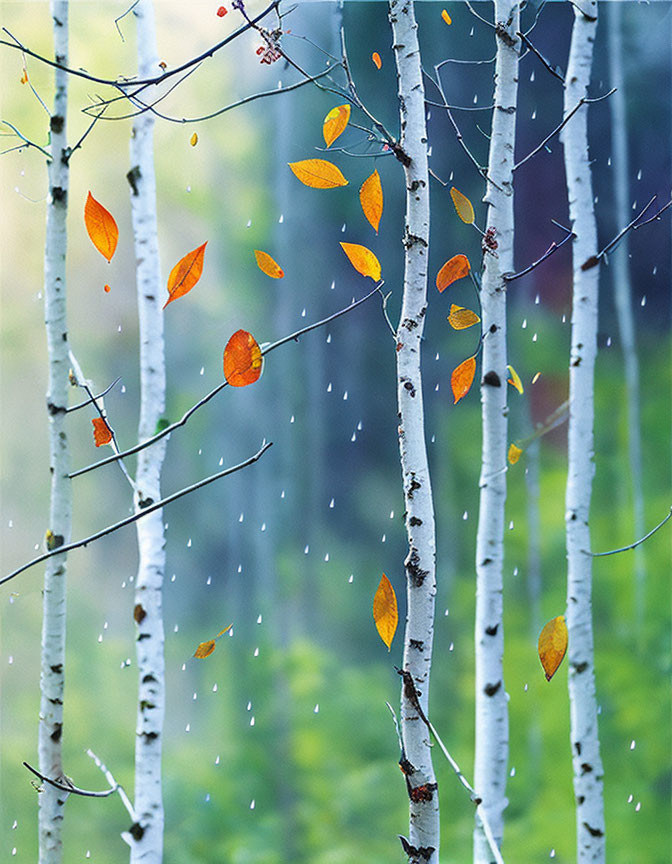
(620, 269)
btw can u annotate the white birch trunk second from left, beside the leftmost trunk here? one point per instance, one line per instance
(147, 841)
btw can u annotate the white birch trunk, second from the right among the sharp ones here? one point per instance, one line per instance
(492, 723)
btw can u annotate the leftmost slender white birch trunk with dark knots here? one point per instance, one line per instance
(52, 679)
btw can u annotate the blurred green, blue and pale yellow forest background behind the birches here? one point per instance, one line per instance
(279, 747)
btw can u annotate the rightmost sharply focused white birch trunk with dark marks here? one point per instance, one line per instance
(585, 743)
